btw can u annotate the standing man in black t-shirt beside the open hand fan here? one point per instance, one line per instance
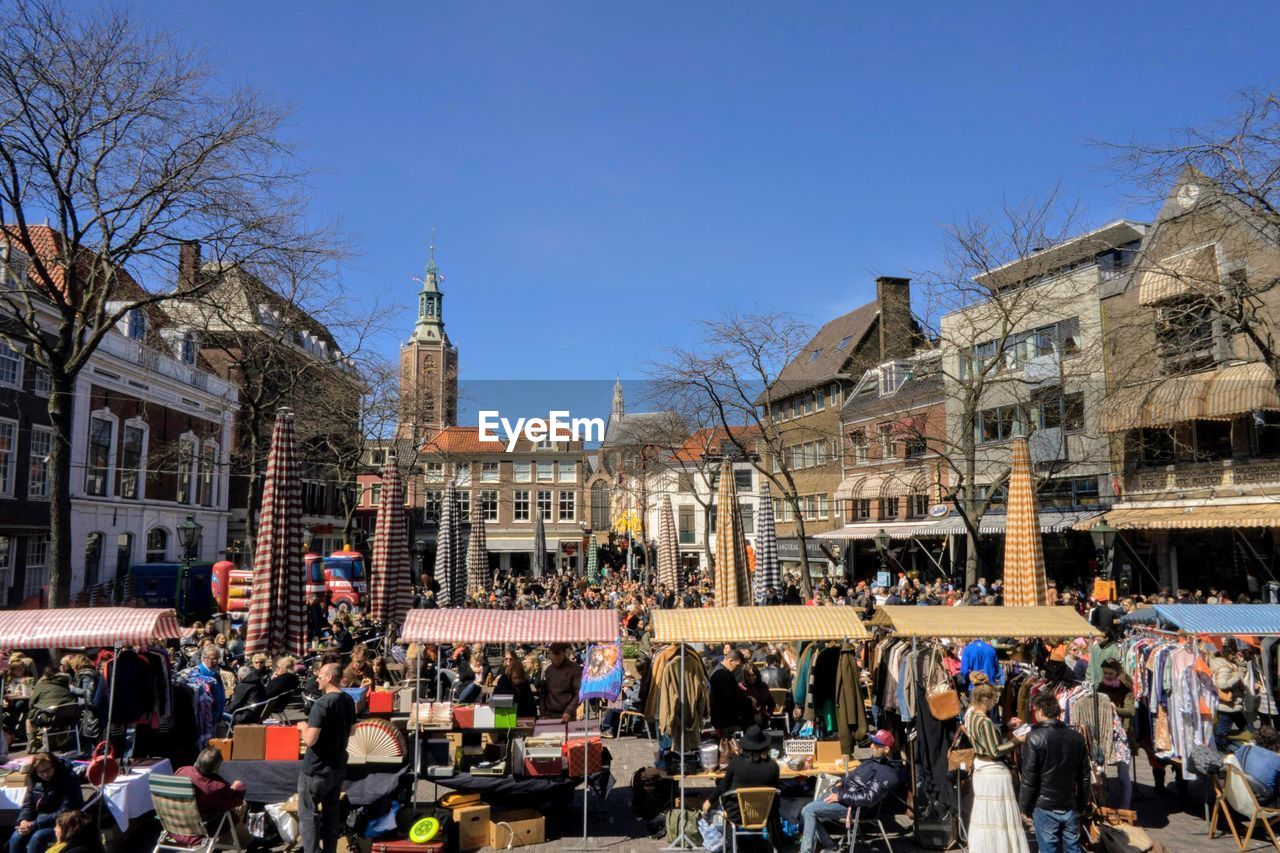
(324, 768)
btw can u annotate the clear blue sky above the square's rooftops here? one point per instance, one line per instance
(601, 175)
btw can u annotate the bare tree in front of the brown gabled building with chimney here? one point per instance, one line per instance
(730, 381)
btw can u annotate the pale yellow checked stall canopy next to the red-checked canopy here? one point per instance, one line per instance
(783, 624)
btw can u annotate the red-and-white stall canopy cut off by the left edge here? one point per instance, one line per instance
(86, 627)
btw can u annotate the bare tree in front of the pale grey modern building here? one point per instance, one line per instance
(1022, 352)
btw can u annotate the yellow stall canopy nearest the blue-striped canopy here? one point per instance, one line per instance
(963, 623)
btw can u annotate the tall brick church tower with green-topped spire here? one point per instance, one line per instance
(429, 366)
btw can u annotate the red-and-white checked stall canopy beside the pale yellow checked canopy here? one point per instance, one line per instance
(537, 627)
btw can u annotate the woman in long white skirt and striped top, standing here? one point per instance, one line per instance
(995, 823)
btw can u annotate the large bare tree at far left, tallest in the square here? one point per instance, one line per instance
(117, 138)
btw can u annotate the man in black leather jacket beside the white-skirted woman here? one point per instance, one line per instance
(1055, 779)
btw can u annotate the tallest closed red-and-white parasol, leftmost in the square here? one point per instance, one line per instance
(276, 612)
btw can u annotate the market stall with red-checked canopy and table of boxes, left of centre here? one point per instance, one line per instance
(541, 758)
